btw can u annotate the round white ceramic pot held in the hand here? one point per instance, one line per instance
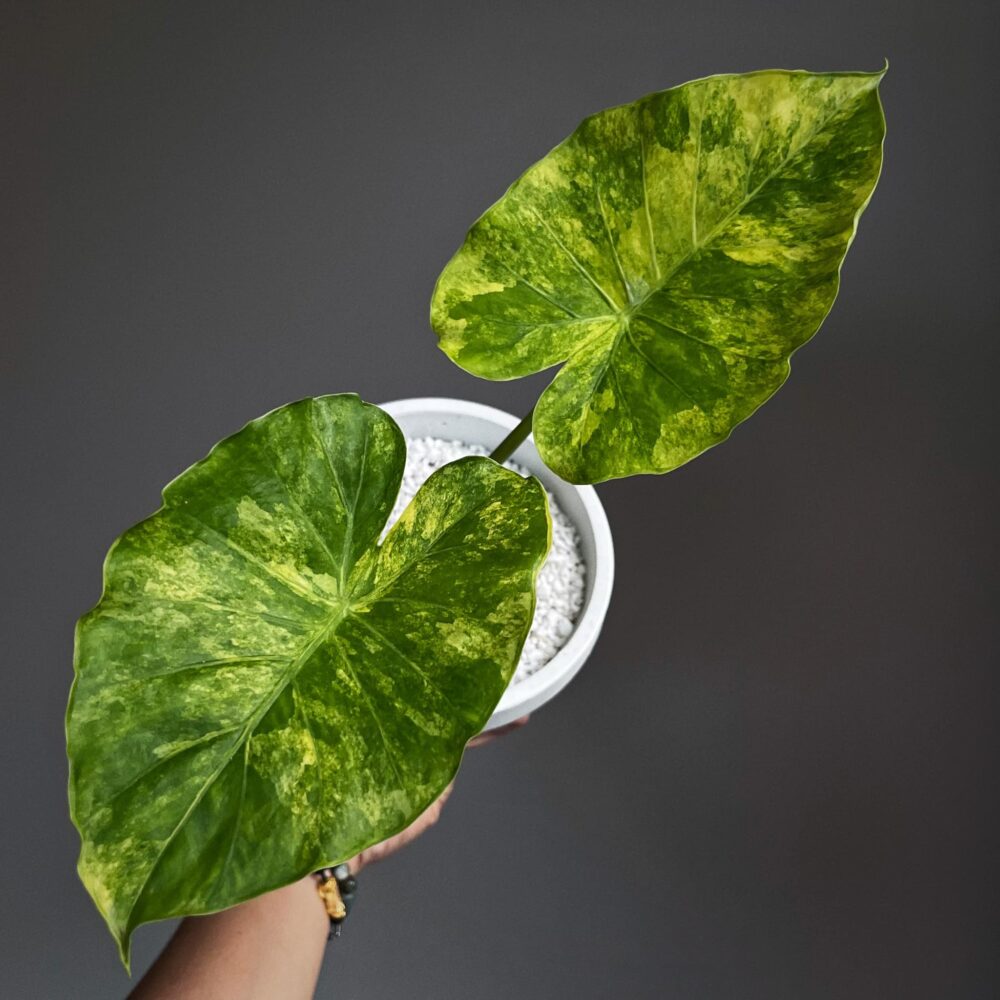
(473, 423)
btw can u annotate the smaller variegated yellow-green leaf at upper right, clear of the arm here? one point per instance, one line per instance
(673, 253)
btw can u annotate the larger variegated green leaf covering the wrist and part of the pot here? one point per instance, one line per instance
(265, 689)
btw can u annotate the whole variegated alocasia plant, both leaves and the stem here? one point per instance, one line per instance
(265, 687)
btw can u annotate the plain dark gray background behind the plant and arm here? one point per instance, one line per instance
(773, 778)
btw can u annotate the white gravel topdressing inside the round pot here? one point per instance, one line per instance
(563, 576)
